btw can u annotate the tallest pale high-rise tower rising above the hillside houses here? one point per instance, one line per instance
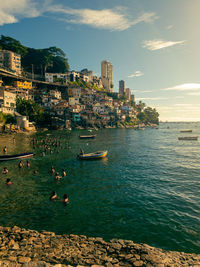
(107, 75)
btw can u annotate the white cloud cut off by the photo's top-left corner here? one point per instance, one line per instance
(12, 10)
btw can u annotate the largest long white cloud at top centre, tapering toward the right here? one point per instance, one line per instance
(109, 19)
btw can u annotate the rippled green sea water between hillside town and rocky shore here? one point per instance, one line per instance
(146, 190)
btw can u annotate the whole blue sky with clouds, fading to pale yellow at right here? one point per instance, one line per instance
(154, 45)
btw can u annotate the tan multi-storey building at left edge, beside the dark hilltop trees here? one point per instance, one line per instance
(11, 61)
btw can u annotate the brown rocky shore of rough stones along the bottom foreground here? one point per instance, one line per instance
(28, 248)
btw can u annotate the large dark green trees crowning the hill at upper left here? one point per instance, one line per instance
(50, 59)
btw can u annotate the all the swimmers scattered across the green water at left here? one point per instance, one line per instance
(47, 145)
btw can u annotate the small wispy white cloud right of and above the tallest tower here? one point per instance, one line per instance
(160, 44)
